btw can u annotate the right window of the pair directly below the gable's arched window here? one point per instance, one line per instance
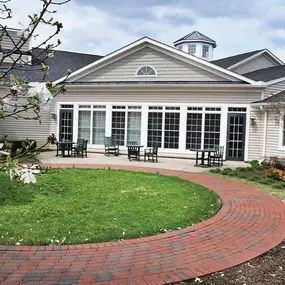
(171, 130)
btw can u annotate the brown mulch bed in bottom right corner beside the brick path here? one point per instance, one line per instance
(267, 269)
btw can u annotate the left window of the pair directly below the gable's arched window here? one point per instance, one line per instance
(154, 130)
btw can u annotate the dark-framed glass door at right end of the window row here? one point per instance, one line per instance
(236, 136)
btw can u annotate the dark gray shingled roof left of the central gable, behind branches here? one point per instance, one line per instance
(58, 65)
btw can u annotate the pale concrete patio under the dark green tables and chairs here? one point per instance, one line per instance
(122, 160)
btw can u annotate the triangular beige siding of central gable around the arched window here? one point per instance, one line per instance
(167, 68)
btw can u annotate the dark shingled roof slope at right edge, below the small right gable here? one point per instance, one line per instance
(267, 74)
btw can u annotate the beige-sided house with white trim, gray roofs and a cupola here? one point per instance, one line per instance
(177, 97)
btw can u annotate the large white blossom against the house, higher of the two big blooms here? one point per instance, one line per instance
(41, 90)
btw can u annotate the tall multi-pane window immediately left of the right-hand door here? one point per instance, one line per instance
(212, 130)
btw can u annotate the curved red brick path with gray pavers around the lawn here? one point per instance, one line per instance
(249, 223)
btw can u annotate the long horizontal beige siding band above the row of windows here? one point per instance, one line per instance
(157, 95)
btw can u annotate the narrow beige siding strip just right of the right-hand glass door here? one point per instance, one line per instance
(256, 135)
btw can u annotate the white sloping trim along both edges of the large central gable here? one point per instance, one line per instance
(171, 51)
